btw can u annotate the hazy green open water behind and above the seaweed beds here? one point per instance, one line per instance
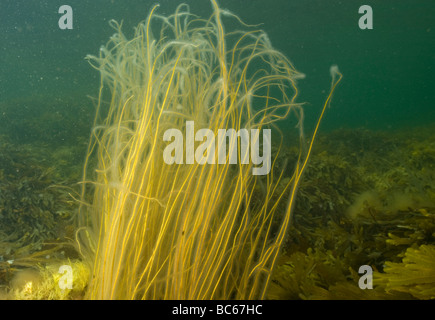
(388, 71)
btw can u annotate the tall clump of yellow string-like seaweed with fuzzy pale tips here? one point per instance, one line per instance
(198, 231)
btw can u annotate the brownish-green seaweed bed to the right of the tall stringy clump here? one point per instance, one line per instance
(363, 201)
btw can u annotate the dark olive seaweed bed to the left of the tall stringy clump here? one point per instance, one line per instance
(38, 181)
